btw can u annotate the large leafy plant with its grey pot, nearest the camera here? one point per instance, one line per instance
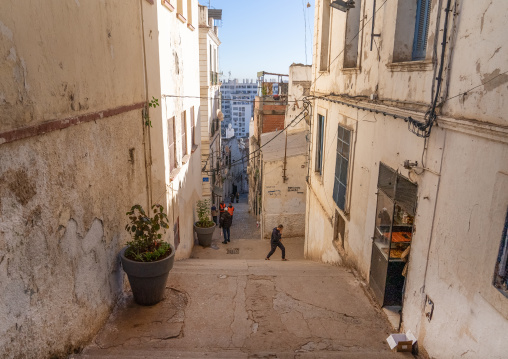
(147, 259)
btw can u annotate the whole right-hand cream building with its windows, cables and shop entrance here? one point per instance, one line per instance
(410, 156)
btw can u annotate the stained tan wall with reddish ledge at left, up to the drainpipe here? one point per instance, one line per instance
(64, 193)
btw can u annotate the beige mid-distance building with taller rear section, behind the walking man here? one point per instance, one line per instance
(283, 158)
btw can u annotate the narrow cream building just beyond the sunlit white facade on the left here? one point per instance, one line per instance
(210, 114)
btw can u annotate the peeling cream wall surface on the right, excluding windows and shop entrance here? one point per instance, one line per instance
(462, 172)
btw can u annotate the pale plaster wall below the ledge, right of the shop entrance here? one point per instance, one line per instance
(469, 219)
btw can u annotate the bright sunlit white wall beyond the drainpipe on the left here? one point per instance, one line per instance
(173, 69)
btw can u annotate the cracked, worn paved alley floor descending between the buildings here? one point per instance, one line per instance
(221, 305)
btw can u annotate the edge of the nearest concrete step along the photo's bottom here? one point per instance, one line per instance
(154, 353)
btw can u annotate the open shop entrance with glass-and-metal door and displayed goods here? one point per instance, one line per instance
(393, 231)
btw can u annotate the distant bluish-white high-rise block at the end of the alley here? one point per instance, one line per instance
(237, 104)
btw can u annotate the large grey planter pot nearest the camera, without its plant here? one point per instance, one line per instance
(147, 279)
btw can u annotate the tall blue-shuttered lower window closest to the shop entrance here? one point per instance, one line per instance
(341, 167)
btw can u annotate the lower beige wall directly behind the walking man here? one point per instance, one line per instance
(284, 202)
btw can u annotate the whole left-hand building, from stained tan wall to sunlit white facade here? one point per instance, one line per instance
(79, 146)
